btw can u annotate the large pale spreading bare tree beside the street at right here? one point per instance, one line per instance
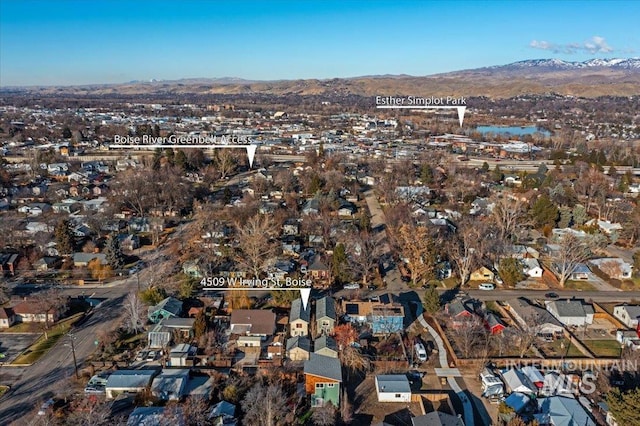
(572, 251)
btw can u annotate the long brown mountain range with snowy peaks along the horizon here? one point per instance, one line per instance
(592, 78)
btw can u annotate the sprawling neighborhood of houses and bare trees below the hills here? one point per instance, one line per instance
(365, 267)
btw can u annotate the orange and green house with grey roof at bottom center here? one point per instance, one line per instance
(323, 378)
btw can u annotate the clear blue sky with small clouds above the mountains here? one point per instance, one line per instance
(89, 42)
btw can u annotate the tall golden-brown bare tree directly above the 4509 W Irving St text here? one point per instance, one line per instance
(255, 240)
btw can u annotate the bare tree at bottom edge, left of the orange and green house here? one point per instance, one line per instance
(264, 405)
